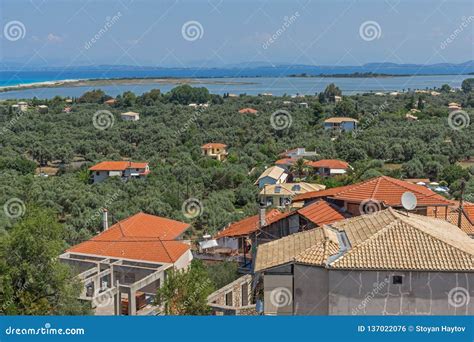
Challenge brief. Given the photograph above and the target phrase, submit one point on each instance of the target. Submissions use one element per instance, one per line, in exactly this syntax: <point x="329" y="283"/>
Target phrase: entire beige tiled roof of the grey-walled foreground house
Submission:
<point x="385" y="240"/>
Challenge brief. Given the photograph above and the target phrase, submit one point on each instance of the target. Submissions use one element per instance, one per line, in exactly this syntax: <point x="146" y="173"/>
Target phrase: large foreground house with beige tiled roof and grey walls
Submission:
<point x="405" y="263"/>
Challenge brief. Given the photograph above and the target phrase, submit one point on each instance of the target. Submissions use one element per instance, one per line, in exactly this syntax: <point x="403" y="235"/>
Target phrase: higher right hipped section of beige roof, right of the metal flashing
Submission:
<point x="390" y="240"/>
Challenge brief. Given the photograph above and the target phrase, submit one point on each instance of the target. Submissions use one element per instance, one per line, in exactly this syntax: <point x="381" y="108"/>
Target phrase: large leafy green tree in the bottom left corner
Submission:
<point x="33" y="281"/>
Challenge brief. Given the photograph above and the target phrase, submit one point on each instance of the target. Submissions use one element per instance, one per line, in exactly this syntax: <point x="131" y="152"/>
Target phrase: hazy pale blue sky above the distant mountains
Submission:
<point x="213" y="33"/>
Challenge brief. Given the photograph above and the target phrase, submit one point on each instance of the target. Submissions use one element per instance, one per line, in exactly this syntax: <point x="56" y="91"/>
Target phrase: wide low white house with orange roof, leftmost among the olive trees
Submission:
<point x="123" y="169"/>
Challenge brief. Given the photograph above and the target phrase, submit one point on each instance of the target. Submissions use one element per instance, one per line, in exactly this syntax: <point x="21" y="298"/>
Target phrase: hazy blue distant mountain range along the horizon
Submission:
<point x="257" y="69"/>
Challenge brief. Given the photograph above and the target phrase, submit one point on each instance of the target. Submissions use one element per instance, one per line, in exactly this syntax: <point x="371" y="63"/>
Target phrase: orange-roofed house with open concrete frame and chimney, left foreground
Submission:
<point x="127" y="262"/>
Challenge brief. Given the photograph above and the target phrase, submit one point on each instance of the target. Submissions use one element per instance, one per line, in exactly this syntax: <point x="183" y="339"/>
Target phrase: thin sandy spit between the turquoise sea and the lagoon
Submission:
<point x="114" y="81"/>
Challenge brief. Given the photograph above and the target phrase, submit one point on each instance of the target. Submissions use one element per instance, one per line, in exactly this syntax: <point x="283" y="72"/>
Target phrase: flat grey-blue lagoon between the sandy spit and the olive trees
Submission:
<point x="254" y="85"/>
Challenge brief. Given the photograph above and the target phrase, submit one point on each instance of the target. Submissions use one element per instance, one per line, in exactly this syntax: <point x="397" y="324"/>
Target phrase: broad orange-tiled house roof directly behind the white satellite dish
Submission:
<point x="379" y="193"/>
